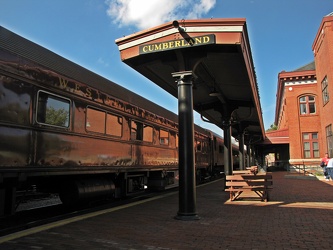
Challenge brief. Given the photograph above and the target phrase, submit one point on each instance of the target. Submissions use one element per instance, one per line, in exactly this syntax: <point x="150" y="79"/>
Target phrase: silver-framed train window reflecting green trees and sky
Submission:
<point x="53" y="110"/>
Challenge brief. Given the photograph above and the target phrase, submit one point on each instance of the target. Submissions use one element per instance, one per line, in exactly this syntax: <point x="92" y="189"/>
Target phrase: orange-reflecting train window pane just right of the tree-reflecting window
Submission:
<point x="95" y="121"/>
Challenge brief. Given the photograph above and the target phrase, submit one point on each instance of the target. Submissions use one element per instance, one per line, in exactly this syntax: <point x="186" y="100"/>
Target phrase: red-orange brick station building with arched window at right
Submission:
<point x="303" y="104"/>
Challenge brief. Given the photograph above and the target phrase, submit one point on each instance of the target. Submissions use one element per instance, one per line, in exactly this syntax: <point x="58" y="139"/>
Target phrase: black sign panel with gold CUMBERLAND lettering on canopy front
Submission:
<point x="177" y="44"/>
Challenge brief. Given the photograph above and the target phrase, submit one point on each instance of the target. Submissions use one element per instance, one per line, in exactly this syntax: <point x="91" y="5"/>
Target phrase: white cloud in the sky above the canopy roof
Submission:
<point x="149" y="13"/>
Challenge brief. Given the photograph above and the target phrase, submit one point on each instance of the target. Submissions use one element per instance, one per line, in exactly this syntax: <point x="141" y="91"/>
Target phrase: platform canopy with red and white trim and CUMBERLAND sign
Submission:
<point x="217" y="52"/>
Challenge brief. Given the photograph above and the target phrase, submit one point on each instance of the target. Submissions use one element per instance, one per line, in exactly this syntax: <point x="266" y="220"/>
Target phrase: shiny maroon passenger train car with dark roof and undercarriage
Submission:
<point x="67" y="130"/>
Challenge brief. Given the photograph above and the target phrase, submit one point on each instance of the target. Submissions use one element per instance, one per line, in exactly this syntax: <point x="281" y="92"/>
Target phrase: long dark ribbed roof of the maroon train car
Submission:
<point x="42" y="56"/>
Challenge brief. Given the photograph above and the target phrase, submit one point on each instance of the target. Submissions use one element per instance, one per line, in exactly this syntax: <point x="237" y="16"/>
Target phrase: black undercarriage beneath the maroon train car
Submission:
<point x="75" y="190"/>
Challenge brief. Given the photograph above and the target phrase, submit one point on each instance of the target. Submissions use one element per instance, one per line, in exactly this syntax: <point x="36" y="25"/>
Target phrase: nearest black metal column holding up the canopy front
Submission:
<point x="187" y="185"/>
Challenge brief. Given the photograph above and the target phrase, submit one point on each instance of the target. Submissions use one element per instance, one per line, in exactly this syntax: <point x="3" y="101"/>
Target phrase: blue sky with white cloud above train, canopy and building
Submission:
<point x="281" y="34"/>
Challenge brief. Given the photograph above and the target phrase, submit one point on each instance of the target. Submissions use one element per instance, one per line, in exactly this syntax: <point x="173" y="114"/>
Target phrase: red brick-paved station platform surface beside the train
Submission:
<point x="299" y="215"/>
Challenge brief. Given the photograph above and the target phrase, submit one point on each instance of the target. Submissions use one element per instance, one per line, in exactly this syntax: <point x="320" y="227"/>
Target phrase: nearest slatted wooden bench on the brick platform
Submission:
<point x="261" y="184"/>
